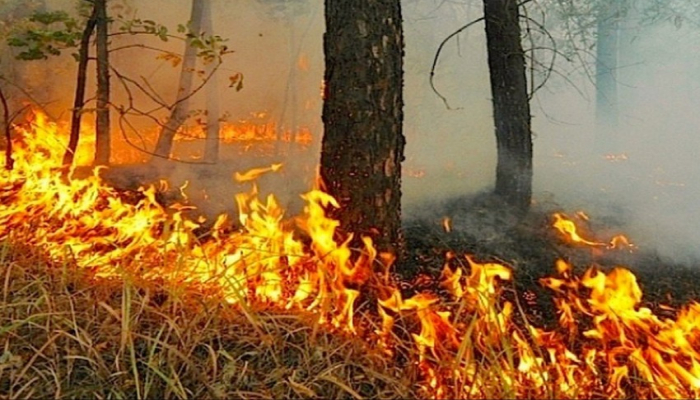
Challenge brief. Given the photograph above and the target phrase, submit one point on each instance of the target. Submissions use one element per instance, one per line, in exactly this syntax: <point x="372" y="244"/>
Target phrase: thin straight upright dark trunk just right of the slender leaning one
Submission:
<point x="102" y="142"/>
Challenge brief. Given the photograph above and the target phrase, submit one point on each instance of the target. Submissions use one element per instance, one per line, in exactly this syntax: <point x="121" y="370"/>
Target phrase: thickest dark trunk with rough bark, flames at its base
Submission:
<point x="363" y="143"/>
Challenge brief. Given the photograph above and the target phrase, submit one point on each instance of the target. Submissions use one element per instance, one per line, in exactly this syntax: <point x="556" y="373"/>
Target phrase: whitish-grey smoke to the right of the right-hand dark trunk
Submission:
<point x="651" y="182"/>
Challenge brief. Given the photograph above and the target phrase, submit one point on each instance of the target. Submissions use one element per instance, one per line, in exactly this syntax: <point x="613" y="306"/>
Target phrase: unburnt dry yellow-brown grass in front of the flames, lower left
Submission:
<point x="66" y="335"/>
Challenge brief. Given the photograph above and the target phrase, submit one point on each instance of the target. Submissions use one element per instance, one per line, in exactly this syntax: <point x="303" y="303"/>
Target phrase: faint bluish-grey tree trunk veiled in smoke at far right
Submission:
<point x="606" y="81"/>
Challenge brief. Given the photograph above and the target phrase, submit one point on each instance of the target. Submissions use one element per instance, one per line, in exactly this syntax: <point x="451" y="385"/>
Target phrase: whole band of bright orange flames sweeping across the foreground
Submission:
<point x="468" y="343"/>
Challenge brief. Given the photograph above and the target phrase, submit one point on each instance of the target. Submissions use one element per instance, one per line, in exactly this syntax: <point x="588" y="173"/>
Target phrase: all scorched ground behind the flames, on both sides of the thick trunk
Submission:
<point x="481" y="226"/>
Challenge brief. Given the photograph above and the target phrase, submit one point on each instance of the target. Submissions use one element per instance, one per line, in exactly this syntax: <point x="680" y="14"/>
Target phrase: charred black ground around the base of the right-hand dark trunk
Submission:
<point x="482" y="226"/>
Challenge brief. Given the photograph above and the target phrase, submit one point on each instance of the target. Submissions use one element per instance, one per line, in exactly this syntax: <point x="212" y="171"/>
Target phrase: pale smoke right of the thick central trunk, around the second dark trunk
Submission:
<point x="649" y="187"/>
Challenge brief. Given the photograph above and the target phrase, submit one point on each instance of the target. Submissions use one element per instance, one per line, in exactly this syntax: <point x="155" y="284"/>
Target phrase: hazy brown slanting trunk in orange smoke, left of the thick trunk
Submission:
<point x="178" y="114"/>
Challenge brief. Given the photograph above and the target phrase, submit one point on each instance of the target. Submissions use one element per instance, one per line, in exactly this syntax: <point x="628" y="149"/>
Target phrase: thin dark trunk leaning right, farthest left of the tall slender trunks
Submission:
<point x="79" y="101"/>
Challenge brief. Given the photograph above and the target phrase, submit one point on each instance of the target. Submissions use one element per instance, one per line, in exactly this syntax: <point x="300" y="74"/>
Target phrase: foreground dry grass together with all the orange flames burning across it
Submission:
<point x="281" y="308"/>
